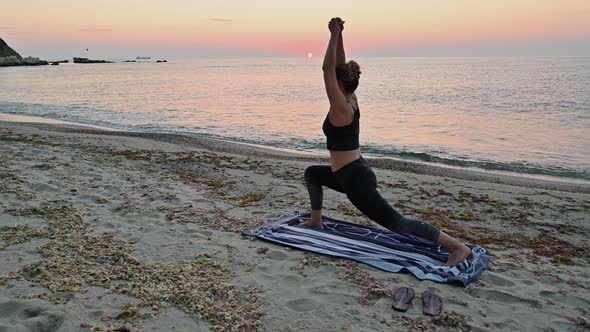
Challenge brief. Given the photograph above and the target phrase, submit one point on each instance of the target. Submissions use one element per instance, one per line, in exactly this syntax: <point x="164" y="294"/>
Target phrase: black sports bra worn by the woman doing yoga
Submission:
<point x="343" y="138"/>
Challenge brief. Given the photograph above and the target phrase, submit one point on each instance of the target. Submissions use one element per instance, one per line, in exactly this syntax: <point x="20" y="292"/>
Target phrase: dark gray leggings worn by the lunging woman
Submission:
<point x="359" y="183"/>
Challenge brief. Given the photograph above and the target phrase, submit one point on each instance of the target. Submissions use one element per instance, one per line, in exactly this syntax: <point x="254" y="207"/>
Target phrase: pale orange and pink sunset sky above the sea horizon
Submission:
<point x="196" y="28"/>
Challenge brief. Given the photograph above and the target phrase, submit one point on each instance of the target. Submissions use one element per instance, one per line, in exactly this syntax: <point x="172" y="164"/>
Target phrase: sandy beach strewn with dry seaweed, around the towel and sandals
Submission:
<point x="104" y="230"/>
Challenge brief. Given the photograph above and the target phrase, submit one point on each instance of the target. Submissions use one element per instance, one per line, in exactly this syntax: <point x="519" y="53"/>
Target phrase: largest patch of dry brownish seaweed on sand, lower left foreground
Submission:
<point x="74" y="258"/>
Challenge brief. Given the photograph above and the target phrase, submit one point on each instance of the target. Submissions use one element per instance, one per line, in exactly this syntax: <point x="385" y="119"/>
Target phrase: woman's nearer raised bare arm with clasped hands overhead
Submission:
<point x="336" y="97"/>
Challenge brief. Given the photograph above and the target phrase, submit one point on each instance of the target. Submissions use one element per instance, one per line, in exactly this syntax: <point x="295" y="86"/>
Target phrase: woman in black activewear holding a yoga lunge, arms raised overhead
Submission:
<point x="349" y="173"/>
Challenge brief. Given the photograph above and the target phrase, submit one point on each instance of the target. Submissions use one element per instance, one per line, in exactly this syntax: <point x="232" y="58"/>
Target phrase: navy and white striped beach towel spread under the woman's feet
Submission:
<point x="381" y="248"/>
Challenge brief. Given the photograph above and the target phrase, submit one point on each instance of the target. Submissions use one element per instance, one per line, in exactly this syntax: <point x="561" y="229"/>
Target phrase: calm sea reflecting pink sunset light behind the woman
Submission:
<point x="528" y="115"/>
